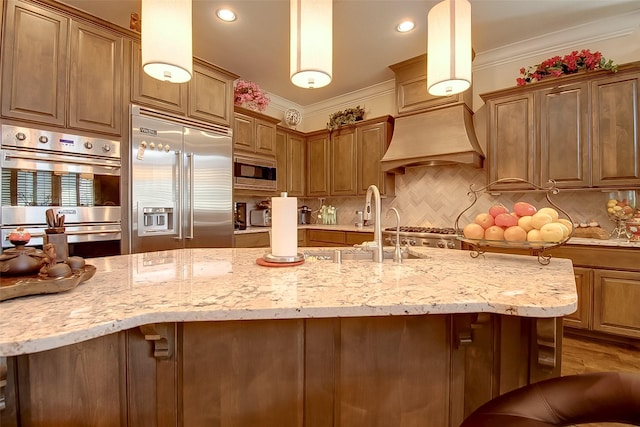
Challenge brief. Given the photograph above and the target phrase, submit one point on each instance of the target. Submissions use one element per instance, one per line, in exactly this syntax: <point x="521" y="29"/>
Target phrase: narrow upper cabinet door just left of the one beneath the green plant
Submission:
<point x="318" y="164"/>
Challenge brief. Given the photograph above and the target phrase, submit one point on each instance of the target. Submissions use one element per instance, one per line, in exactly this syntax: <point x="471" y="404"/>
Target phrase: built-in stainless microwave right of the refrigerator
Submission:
<point x="254" y="173"/>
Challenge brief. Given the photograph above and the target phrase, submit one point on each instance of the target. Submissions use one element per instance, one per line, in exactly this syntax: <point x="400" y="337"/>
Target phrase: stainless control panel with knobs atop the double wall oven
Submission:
<point x="44" y="140"/>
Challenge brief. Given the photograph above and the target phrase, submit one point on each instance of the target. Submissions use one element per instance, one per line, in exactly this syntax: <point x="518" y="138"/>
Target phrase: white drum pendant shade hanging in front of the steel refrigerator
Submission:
<point x="166" y="40"/>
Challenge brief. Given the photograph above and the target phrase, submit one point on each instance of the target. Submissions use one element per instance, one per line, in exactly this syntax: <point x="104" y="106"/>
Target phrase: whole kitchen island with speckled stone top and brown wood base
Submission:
<point x="208" y="337"/>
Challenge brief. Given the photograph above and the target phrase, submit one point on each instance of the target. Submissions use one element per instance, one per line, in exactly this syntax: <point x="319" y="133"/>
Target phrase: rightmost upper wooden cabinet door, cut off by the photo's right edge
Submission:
<point x="616" y="127"/>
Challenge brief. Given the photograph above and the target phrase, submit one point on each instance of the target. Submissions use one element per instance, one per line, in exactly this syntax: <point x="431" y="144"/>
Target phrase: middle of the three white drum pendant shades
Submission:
<point x="311" y="42"/>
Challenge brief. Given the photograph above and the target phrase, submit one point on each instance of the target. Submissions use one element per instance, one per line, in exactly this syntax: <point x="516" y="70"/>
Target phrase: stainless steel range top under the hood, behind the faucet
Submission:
<point x="434" y="237"/>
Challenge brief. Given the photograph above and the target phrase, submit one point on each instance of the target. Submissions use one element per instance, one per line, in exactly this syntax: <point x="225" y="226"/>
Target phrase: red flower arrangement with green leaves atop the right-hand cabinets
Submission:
<point x="568" y="64"/>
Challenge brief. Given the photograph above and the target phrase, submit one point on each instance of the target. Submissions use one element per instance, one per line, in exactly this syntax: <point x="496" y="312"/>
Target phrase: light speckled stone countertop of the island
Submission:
<point x="226" y="284"/>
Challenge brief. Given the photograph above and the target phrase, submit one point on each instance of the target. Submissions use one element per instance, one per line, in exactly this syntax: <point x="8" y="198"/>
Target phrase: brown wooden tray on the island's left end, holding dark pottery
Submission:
<point x="13" y="287"/>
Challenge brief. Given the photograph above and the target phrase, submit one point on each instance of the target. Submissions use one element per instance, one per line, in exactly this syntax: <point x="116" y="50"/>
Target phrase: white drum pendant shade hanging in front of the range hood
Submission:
<point x="449" y="47"/>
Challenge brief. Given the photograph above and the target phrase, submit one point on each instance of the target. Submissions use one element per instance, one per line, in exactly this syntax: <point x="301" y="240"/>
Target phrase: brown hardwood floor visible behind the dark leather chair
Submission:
<point x="581" y="355"/>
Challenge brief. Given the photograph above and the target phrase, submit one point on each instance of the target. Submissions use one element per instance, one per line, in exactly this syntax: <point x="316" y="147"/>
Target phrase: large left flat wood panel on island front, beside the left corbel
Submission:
<point x="237" y="374"/>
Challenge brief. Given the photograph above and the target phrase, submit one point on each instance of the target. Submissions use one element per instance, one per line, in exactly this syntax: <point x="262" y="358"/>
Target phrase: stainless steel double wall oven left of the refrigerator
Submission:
<point x="76" y="176"/>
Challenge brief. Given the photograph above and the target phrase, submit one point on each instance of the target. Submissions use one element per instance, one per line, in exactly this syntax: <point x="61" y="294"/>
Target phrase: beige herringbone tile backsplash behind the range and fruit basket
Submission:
<point x="434" y="196"/>
